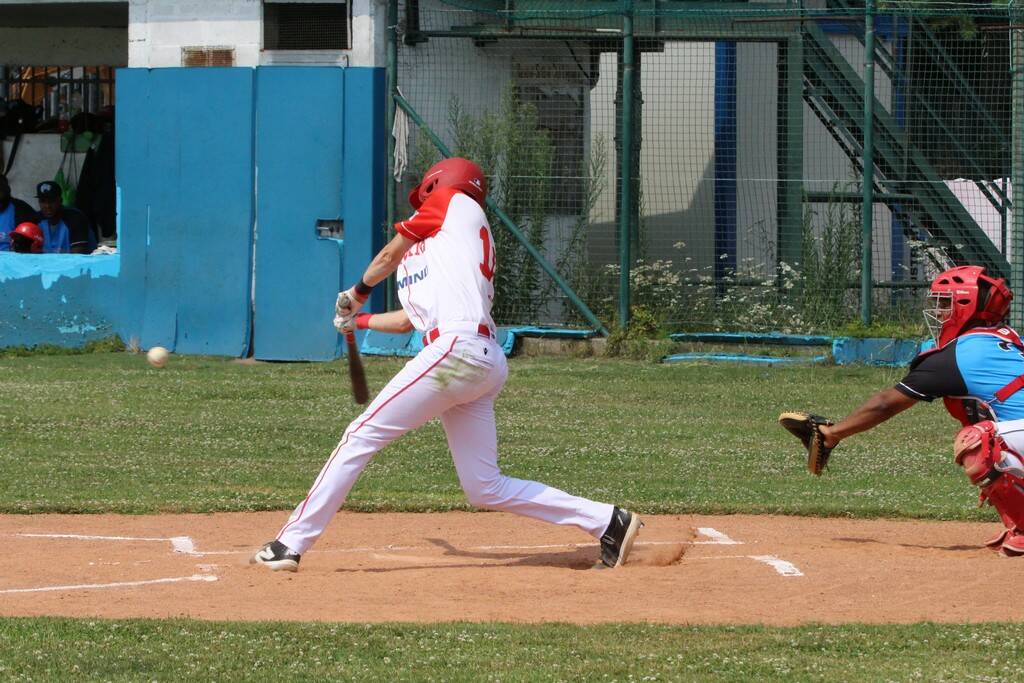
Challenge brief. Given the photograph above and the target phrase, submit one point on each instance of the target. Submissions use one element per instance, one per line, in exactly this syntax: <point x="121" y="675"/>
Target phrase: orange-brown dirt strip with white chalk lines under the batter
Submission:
<point x="490" y="567"/>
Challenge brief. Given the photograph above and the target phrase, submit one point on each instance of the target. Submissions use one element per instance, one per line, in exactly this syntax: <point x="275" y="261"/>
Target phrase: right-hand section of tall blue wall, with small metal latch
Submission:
<point x="301" y="181"/>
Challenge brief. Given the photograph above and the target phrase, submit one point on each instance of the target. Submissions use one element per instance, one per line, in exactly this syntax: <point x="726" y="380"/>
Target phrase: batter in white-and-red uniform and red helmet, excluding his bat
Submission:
<point x="445" y="261"/>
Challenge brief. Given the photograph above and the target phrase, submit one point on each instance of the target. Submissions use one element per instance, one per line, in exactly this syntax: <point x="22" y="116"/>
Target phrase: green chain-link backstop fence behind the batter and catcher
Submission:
<point x="747" y="152"/>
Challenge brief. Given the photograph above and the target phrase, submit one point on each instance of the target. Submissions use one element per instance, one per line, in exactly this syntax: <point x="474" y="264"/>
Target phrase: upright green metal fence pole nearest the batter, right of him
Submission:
<point x="625" y="168"/>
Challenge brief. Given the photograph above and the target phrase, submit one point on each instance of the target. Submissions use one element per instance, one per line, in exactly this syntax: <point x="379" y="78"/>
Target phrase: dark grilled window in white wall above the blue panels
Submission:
<point x="307" y="26"/>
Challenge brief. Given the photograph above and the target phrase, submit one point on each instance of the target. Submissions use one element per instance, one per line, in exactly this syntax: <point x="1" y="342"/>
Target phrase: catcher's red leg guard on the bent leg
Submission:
<point x="978" y="450"/>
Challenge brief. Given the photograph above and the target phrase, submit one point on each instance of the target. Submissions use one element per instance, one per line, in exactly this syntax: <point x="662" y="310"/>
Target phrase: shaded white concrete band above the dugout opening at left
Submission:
<point x="70" y="48"/>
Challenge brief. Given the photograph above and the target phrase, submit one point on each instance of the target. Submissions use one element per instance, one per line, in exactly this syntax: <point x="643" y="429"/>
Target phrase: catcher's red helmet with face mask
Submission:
<point x="963" y="296"/>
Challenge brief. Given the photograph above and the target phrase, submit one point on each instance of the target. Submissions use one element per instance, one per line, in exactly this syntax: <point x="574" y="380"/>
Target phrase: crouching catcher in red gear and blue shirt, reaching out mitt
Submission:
<point x="977" y="367"/>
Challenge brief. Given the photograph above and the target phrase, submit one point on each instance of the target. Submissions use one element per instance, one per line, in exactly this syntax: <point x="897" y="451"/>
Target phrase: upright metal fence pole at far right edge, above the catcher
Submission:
<point x="1016" y="255"/>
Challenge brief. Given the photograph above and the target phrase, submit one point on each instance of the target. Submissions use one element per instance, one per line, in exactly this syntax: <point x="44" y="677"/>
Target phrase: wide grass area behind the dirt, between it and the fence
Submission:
<point x="107" y="433"/>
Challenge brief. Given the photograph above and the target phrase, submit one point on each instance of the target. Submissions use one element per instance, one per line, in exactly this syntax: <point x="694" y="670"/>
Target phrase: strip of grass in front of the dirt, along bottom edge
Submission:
<point x="180" y="650"/>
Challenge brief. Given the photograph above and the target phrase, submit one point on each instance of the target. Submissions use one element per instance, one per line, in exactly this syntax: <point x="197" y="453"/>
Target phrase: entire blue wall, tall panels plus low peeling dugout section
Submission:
<point x="192" y="144"/>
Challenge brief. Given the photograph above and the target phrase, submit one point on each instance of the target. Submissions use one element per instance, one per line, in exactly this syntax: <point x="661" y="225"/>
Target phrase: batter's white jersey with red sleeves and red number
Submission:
<point x="446" y="278"/>
